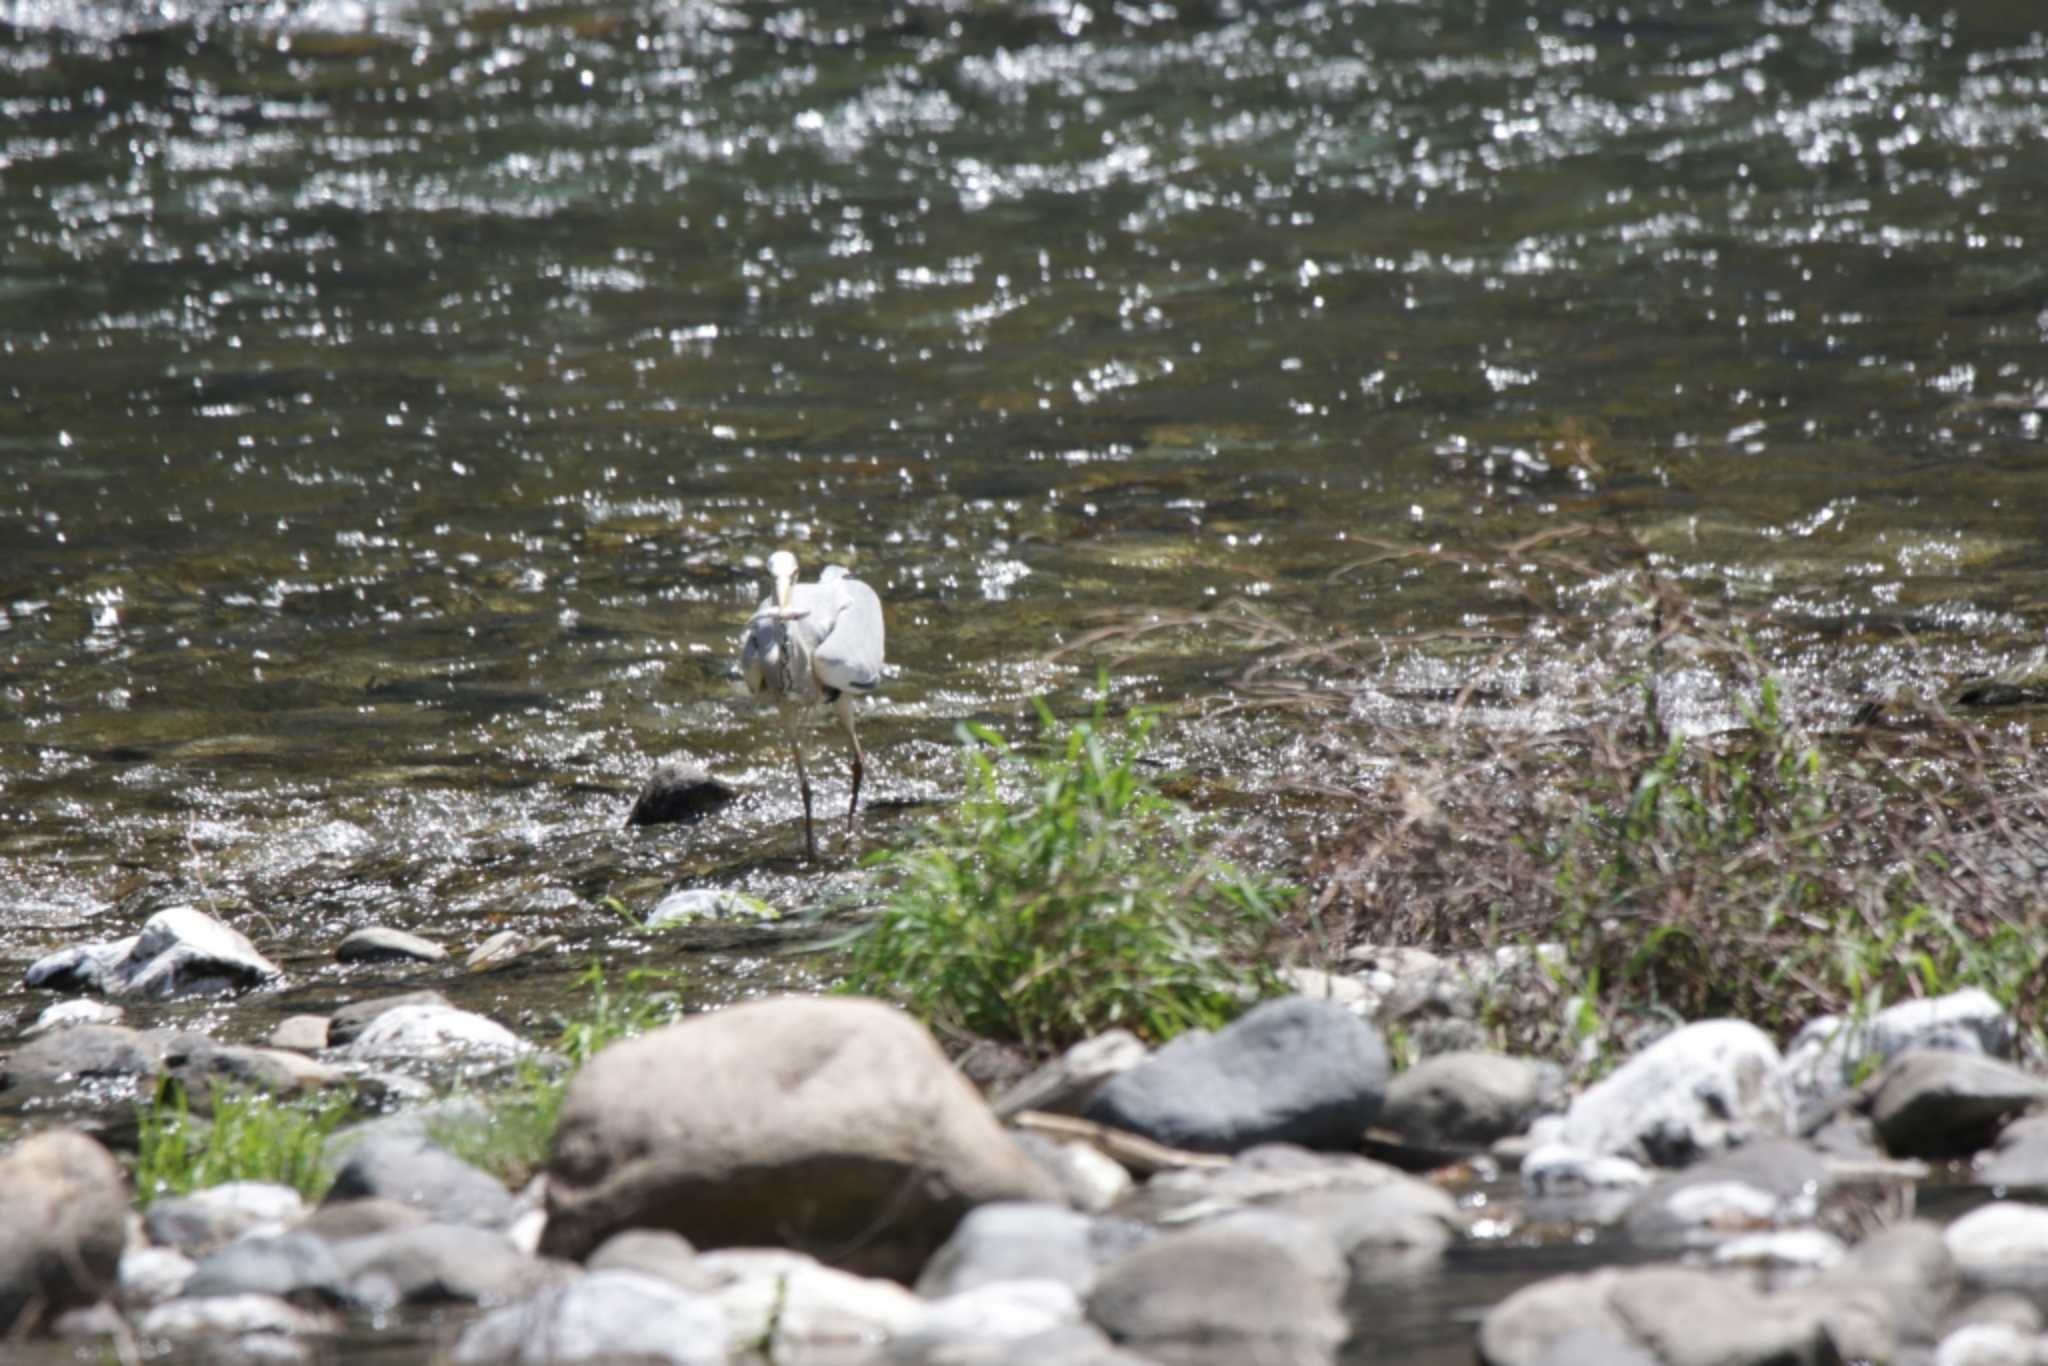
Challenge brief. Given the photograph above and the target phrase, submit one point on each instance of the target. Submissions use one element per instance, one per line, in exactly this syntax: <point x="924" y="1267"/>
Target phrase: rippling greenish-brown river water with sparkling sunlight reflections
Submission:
<point x="398" y="407"/>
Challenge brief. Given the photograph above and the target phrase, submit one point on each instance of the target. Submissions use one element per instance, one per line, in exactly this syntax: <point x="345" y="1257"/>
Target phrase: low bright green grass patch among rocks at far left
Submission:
<point x="245" y="1138"/>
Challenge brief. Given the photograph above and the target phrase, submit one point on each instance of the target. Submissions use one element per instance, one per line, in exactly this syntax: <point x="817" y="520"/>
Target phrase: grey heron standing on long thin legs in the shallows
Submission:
<point x="814" y="646"/>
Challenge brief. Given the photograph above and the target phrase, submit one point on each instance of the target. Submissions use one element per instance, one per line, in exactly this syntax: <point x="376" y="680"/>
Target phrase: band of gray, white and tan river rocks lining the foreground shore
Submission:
<point x="812" y="1181"/>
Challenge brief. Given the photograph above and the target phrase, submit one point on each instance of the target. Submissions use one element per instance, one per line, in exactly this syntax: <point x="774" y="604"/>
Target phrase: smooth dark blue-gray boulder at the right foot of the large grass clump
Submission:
<point x="1285" y="1072"/>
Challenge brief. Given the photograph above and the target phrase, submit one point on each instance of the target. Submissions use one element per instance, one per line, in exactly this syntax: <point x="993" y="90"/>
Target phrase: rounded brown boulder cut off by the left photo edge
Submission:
<point x="62" y="1228"/>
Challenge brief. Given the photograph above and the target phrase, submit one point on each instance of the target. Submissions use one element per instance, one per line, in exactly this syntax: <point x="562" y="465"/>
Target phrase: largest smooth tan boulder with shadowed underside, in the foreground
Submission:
<point x="814" y="1123"/>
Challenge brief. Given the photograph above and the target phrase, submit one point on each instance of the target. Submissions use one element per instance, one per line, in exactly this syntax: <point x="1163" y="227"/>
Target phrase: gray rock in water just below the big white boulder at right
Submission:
<point x="1768" y="1185"/>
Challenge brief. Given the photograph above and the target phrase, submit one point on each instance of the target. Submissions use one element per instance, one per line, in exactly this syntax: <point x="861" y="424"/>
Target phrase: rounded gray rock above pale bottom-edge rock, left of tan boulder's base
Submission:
<point x="435" y="1263"/>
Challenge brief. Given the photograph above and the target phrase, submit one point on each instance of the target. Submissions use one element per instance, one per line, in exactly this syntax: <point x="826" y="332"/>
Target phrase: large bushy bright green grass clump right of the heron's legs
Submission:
<point x="1078" y="904"/>
